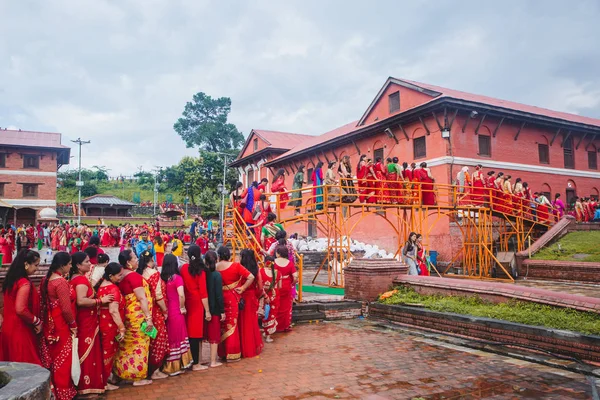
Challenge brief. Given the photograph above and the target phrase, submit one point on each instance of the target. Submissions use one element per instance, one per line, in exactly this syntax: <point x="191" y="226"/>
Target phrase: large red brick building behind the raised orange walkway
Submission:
<point x="554" y="152"/>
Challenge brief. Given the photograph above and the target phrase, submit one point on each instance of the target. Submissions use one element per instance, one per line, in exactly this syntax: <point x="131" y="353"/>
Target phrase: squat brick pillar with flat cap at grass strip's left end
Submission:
<point x="366" y="279"/>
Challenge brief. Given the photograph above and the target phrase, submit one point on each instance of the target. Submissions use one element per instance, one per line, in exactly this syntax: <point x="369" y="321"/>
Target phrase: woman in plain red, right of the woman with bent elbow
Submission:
<point x="250" y="337"/>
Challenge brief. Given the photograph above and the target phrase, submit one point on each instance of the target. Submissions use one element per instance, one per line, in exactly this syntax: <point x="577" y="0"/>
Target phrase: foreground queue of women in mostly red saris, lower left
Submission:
<point x="135" y="321"/>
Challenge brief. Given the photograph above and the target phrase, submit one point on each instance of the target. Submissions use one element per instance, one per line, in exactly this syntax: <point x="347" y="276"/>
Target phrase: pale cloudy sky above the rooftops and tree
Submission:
<point x="118" y="72"/>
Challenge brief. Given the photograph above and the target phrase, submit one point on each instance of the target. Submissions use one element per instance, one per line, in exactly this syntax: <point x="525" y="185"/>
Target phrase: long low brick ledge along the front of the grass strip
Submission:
<point x="565" y="343"/>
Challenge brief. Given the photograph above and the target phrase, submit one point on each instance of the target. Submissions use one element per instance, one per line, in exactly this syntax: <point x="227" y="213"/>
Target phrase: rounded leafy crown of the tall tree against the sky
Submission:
<point x="204" y="124"/>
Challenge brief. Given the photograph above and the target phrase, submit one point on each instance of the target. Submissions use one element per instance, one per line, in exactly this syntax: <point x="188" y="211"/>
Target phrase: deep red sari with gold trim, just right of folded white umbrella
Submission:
<point x="90" y="350"/>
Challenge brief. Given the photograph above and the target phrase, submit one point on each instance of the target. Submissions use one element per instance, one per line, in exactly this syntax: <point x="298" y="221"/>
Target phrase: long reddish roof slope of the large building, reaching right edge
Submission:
<point x="457" y="94"/>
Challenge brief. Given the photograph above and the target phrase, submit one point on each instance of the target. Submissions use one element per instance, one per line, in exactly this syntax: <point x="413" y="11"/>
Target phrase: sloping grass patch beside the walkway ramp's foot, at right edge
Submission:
<point x="585" y="244"/>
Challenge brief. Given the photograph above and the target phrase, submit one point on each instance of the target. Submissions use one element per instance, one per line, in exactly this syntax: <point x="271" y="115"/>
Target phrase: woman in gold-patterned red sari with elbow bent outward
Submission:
<point x="232" y="274"/>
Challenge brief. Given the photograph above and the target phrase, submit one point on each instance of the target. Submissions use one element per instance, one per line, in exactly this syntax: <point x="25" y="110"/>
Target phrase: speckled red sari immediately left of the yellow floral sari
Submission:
<point x="109" y="329"/>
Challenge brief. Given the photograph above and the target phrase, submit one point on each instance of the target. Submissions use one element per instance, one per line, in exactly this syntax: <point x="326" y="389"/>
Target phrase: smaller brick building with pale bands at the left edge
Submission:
<point x="29" y="162"/>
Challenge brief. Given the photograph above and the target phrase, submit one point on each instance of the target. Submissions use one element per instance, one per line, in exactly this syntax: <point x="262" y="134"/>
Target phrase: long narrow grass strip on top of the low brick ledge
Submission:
<point x="513" y="311"/>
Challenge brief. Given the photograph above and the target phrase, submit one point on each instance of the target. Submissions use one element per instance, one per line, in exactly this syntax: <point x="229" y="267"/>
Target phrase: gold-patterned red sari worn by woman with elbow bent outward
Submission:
<point x="229" y="347"/>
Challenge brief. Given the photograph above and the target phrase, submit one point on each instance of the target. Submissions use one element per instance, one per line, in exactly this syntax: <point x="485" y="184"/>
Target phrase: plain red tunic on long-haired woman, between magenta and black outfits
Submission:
<point x="195" y="290"/>
